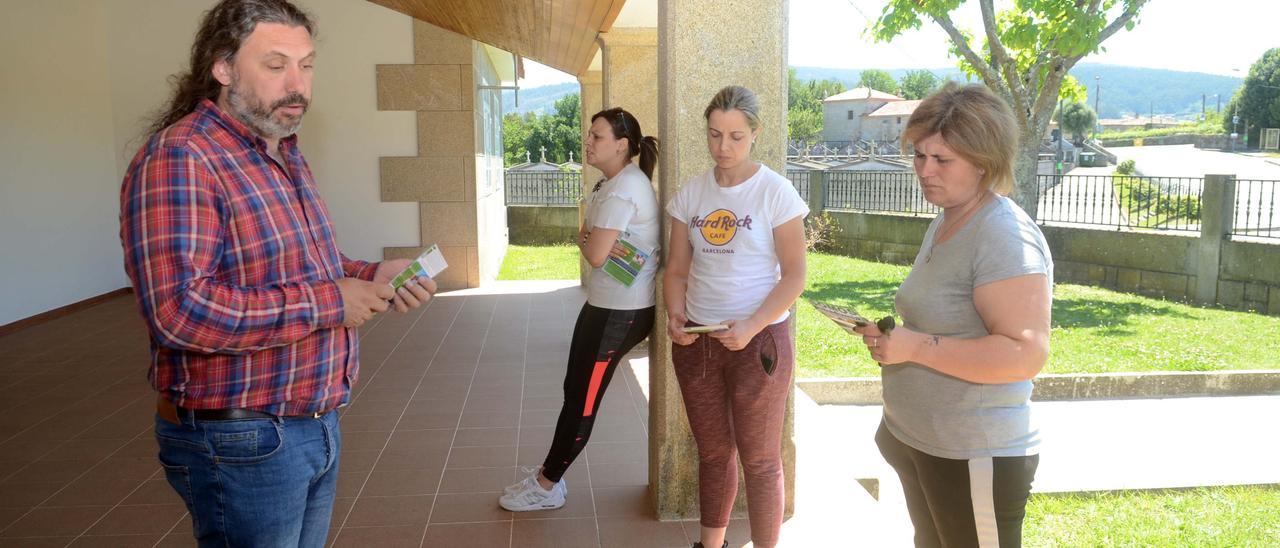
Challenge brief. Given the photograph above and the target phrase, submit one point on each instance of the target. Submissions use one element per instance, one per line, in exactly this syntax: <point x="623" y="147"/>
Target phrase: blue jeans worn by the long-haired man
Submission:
<point x="255" y="483"/>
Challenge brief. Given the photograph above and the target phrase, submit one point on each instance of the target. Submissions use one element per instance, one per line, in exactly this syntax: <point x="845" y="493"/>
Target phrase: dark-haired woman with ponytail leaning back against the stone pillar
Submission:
<point x="616" y="316"/>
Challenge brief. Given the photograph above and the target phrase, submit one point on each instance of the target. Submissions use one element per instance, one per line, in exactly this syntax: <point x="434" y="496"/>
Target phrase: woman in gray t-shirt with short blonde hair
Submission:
<point x="976" y="310"/>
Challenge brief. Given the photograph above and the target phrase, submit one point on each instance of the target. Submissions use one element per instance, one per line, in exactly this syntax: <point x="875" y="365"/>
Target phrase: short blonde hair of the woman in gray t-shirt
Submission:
<point x="977" y="125"/>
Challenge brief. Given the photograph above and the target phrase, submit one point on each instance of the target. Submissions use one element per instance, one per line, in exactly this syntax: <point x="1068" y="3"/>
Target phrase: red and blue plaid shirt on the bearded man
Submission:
<point x="234" y="263"/>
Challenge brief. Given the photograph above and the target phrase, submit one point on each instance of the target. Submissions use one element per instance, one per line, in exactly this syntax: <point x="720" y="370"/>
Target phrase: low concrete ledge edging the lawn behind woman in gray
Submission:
<point x="1105" y="386"/>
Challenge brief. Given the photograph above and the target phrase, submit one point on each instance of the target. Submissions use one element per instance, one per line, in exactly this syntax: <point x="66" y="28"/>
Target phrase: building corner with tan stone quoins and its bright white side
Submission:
<point x="456" y="176"/>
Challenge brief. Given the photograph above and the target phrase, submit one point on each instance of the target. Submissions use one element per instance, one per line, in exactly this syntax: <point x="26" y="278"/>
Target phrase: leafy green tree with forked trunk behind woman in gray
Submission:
<point x="1025" y="56"/>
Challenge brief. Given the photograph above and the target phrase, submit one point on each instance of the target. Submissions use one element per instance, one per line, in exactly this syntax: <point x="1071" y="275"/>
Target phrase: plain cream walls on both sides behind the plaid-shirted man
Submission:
<point x="81" y="79"/>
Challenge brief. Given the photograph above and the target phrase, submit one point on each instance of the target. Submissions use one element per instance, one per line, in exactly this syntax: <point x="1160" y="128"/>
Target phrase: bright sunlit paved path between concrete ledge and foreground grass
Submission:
<point x="1089" y="446"/>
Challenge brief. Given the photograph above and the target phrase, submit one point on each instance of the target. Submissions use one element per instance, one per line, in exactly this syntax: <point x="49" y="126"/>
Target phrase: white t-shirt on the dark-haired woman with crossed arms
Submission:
<point x="627" y="203"/>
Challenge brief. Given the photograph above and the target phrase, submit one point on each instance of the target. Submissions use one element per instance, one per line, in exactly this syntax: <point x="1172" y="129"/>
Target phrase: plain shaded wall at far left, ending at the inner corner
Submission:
<point x="58" y="173"/>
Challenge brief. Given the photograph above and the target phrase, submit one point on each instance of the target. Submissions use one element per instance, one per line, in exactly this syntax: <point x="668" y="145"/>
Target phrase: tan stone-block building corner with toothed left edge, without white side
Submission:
<point x="440" y="86"/>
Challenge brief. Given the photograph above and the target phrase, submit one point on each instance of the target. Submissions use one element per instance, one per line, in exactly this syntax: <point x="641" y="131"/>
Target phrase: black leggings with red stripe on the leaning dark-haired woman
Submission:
<point x="601" y="339"/>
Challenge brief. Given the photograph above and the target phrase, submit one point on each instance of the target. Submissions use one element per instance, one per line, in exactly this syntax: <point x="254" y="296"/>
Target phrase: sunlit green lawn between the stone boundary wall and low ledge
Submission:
<point x="1095" y="330"/>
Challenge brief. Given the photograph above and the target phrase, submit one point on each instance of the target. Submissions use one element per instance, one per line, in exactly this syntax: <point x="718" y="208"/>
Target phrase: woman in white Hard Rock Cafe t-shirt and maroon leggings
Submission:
<point x="737" y="261"/>
